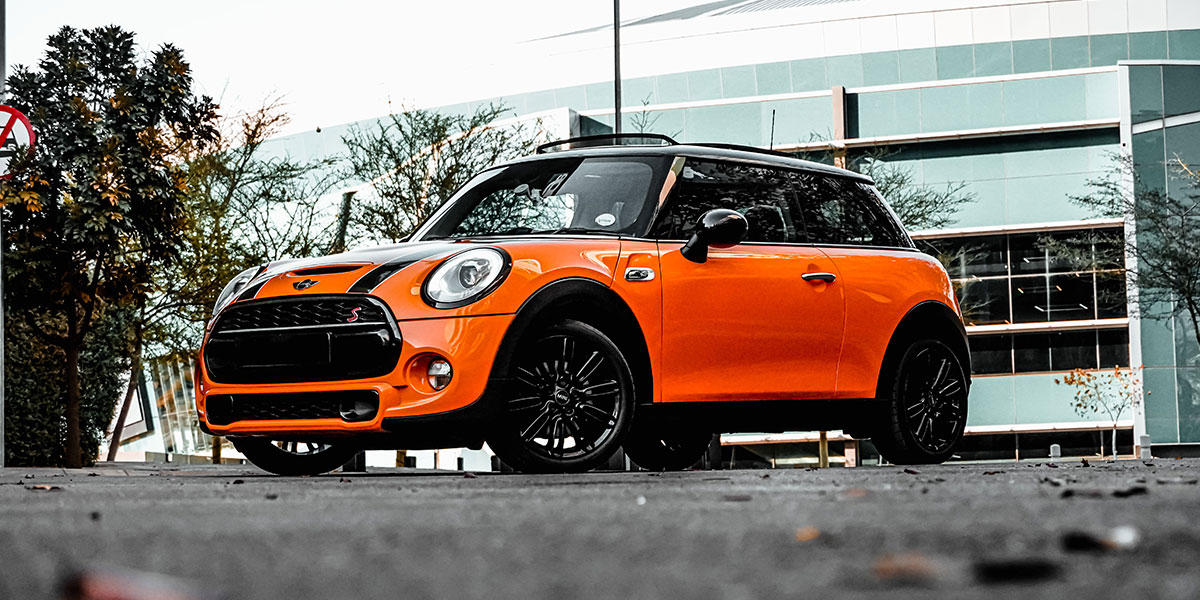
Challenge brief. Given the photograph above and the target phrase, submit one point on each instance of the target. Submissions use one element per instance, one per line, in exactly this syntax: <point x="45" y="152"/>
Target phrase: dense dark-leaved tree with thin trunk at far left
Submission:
<point x="99" y="206"/>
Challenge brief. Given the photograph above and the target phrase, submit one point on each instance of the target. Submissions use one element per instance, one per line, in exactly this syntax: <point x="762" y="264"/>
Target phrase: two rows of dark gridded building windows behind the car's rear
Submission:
<point x="1045" y="278"/>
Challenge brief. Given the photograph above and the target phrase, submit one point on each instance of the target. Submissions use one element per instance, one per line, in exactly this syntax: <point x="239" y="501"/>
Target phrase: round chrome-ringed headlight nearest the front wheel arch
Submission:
<point x="466" y="278"/>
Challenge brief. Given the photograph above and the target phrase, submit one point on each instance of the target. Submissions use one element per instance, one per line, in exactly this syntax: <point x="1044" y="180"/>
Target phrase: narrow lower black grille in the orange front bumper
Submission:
<point x="349" y="406"/>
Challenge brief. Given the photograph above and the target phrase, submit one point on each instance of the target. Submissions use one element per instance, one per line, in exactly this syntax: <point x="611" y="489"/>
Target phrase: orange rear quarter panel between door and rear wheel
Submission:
<point x="881" y="287"/>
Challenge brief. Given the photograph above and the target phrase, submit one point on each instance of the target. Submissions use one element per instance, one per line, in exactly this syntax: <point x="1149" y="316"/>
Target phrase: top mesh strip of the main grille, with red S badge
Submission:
<point x="274" y="314"/>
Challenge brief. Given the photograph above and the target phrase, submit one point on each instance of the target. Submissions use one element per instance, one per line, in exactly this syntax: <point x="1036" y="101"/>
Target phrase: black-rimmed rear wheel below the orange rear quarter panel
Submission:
<point x="928" y="412"/>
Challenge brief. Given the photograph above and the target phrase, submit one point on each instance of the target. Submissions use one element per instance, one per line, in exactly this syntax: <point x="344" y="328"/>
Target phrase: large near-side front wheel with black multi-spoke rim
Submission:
<point x="569" y="403"/>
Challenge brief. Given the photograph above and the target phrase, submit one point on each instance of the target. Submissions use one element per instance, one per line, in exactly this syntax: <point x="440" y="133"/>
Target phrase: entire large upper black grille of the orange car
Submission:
<point x="308" y="339"/>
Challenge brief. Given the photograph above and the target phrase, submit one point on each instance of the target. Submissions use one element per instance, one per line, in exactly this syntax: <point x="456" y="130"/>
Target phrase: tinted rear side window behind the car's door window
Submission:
<point x="841" y="211"/>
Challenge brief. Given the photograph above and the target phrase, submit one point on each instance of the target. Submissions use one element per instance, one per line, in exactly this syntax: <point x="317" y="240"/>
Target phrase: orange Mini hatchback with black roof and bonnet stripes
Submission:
<point x="622" y="292"/>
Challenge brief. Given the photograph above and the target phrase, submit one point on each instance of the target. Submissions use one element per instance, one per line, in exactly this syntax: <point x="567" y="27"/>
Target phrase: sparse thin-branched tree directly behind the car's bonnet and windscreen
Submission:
<point x="415" y="161"/>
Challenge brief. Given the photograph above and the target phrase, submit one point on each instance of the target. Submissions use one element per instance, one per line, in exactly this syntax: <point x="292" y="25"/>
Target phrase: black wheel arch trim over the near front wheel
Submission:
<point x="589" y="302"/>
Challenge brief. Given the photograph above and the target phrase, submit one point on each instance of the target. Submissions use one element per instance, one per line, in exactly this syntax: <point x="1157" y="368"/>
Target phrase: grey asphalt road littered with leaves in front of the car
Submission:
<point x="1127" y="530"/>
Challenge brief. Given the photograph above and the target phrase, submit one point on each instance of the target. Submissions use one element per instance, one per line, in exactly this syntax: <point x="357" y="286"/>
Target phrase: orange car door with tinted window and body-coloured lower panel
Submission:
<point x="746" y="325"/>
